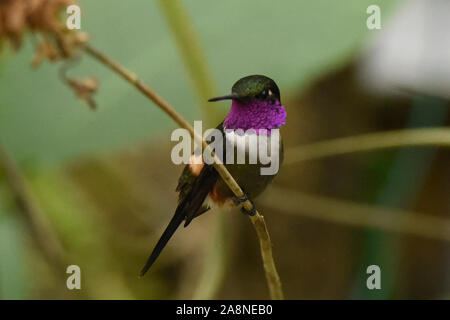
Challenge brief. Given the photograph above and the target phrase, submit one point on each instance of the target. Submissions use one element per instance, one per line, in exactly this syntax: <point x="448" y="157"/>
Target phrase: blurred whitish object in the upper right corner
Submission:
<point x="411" y="53"/>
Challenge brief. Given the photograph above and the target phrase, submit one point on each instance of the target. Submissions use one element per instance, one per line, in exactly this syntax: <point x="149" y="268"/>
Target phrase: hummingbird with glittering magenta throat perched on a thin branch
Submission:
<point x="255" y="104"/>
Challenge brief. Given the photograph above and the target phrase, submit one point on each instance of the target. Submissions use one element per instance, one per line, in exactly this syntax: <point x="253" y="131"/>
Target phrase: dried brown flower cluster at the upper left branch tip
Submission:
<point x="44" y="19"/>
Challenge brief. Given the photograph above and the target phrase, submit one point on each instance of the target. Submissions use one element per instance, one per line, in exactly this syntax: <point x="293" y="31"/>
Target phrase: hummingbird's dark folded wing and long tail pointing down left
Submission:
<point x="194" y="193"/>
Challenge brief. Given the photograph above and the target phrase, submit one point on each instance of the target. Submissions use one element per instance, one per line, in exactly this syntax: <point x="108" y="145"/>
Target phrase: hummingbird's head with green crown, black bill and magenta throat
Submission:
<point x="256" y="104"/>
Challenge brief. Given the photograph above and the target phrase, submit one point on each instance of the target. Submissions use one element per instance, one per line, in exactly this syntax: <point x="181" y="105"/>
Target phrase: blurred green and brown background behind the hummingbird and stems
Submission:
<point x="106" y="184"/>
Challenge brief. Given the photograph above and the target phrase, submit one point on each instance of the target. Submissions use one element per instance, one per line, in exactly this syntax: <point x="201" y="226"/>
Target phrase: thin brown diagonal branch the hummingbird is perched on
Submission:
<point x="257" y="220"/>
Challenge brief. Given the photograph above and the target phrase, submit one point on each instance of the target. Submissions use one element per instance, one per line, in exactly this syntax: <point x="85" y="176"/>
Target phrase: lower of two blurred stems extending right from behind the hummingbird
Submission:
<point x="357" y="214"/>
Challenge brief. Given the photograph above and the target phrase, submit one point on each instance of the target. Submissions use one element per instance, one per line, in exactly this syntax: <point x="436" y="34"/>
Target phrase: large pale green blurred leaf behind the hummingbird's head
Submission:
<point x="292" y="41"/>
